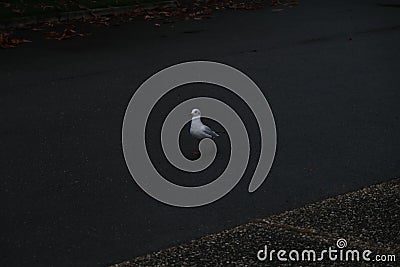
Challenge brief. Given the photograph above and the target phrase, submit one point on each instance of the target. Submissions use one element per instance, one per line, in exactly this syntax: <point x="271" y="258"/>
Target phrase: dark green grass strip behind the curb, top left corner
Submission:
<point x="24" y="8"/>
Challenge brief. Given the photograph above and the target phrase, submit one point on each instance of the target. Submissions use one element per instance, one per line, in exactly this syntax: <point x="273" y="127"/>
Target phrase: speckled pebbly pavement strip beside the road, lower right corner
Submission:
<point x="366" y="219"/>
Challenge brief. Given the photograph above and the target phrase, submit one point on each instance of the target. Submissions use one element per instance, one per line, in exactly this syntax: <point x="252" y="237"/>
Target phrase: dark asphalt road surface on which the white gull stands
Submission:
<point x="330" y="72"/>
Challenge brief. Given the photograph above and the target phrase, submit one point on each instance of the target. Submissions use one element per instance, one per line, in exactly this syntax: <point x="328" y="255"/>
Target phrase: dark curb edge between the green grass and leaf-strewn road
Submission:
<point x="80" y="14"/>
